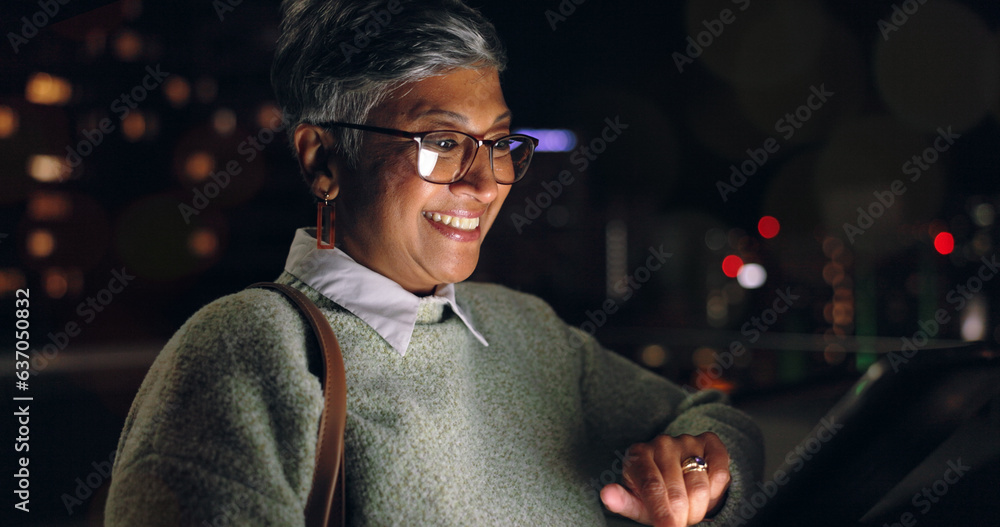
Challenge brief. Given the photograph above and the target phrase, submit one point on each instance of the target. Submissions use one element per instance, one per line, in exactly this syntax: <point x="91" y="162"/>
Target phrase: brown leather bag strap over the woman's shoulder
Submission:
<point x="325" y="506"/>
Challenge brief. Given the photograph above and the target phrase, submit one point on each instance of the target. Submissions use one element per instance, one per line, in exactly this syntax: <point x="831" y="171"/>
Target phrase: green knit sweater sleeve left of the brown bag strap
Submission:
<point x="223" y="428"/>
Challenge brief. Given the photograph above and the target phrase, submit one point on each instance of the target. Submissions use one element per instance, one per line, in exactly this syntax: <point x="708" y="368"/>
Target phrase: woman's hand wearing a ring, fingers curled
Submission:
<point x="657" y="493"/>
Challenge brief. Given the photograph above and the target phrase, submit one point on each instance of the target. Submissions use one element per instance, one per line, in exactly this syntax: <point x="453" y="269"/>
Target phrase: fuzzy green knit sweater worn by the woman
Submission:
<point x="523" y="432"/>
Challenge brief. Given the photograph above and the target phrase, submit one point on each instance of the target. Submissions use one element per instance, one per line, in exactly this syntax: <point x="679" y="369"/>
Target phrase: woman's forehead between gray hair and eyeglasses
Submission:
<point x="468" y="97"/>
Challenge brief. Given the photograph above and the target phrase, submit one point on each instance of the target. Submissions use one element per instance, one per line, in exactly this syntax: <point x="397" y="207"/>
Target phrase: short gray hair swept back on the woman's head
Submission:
<point x="336" y="60"/>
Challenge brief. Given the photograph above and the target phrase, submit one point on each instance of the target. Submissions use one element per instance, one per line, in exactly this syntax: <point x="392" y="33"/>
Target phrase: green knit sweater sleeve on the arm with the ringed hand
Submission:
<point x="624" y="404"/>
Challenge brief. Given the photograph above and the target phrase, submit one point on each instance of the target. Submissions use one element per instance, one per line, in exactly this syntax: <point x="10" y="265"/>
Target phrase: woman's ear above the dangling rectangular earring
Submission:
<point x="319" y="161"/>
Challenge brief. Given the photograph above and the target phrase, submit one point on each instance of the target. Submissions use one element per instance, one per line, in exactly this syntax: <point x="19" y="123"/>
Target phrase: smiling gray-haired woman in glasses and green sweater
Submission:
<point x="468" y="404"/>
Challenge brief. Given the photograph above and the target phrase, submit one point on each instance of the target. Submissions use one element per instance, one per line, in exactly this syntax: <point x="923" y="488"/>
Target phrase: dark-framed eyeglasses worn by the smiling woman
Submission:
<point x="445" y="156"/>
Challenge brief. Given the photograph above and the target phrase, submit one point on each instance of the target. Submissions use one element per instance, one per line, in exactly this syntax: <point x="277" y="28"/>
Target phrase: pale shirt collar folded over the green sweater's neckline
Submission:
<point x="382" y="303"/>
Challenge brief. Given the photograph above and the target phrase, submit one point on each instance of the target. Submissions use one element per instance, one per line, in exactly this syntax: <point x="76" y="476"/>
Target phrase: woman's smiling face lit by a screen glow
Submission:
<point x="399" y="231"/>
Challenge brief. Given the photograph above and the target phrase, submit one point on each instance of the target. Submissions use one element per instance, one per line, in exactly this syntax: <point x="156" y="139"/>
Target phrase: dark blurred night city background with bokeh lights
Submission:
<point x="815" y="182"/>
